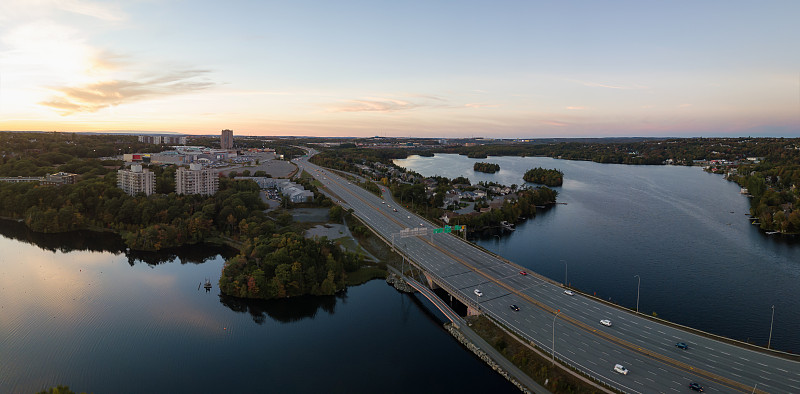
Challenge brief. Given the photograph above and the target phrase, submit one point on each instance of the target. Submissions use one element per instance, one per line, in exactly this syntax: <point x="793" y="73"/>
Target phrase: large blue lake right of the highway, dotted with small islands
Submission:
<point x="682" y="230"/>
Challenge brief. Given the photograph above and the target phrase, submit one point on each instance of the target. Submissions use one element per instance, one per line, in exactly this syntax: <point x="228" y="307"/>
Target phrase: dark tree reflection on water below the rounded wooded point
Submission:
<point x="285" y="310"/>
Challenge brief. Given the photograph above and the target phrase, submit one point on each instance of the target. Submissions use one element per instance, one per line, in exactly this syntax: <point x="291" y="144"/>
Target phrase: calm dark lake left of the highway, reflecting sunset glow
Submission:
<point x="77" y="309"/>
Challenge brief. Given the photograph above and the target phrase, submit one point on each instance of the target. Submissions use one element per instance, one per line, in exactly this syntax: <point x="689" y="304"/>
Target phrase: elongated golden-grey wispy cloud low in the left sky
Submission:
<point x="95" y="96"/>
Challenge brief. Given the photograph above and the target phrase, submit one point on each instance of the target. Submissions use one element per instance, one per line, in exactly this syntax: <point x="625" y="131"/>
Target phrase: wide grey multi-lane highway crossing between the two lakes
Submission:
<point x="645" y="347"/>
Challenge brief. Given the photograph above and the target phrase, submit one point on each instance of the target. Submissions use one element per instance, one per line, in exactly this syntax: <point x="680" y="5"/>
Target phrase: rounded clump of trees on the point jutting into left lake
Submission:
<point x="287" y="265"/>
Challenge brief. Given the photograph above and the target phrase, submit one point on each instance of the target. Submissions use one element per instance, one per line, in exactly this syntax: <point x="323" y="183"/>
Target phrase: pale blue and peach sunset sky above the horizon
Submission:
<point x="430" y="68"/>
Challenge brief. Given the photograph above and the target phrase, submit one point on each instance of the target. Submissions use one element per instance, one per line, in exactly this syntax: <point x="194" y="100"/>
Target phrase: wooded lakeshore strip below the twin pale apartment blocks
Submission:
<point x="146" y="223"/>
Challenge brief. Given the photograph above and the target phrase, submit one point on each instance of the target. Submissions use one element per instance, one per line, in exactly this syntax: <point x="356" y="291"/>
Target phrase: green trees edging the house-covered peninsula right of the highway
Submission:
<point x="511" y="211"/>
